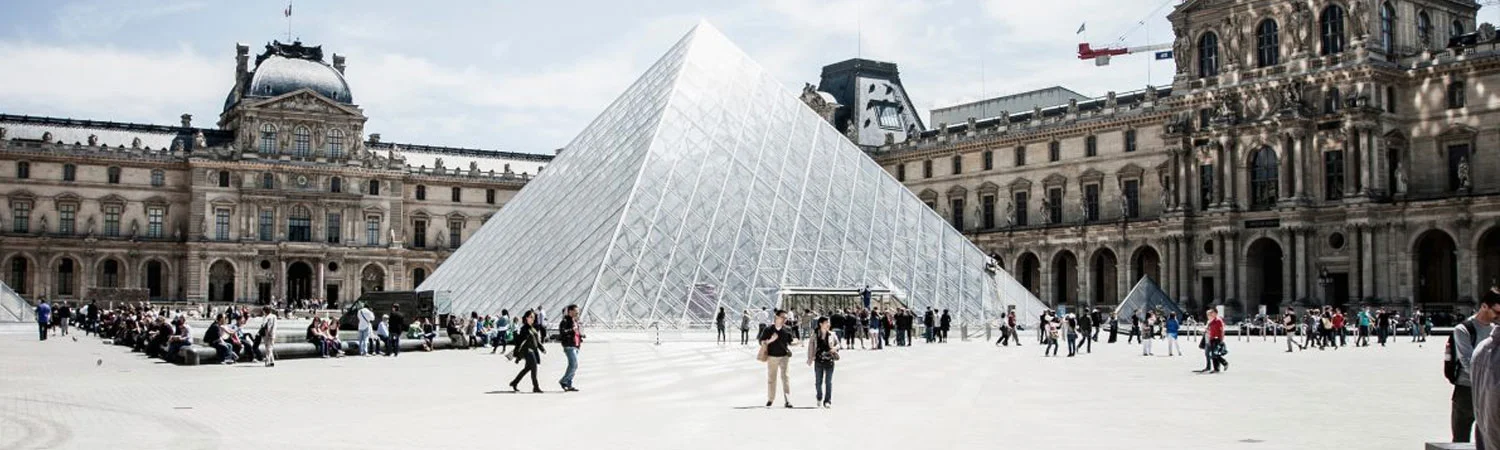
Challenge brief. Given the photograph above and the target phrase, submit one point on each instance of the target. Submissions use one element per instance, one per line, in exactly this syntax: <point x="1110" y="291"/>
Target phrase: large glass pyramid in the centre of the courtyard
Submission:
<point x="706" y="185"/>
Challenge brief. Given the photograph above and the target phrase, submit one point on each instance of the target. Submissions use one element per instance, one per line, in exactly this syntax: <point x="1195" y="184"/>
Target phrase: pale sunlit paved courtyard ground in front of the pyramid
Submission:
<point x="698" y="395"/>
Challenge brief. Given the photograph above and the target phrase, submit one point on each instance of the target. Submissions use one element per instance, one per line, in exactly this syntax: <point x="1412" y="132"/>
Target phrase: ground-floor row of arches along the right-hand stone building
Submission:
<point x="1276" y="269"/>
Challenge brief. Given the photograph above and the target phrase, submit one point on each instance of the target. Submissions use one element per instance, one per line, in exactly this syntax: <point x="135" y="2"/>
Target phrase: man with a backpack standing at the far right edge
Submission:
<point x="1459" y="361"/>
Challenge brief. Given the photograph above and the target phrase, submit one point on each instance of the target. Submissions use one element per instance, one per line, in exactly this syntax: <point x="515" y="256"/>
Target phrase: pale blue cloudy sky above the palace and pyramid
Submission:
<point x="527" y="76"/>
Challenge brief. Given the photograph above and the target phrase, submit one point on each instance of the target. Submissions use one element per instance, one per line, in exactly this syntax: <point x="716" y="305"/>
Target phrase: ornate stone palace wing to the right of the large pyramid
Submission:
<point x="1309" y="152"/>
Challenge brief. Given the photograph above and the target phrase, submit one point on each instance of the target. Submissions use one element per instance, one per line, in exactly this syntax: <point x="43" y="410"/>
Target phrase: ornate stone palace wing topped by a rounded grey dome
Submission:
<point x="287" y="199"/>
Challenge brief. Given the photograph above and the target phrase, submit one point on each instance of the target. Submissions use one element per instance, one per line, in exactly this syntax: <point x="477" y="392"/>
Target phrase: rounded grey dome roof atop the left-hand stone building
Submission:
<point x="287" y="68"/>
